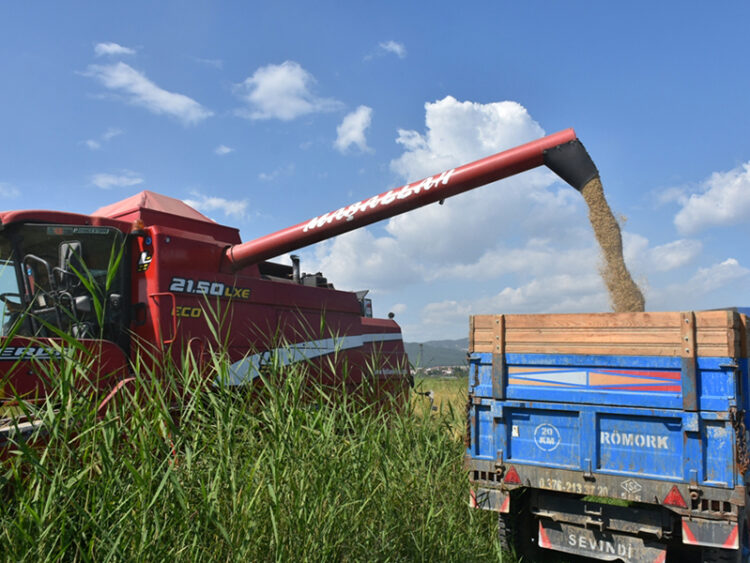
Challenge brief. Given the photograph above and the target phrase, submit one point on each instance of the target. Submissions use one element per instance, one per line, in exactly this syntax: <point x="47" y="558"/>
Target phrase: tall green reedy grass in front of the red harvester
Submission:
<point x="276" y="475"/>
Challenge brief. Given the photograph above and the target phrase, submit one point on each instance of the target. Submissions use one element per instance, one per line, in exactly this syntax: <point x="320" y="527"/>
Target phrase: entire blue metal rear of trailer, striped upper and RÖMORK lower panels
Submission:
<point x="561" y="414"/>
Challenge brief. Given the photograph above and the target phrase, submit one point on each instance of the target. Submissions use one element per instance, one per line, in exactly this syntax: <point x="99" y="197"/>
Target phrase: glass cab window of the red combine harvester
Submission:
<point x="61" y="278"/>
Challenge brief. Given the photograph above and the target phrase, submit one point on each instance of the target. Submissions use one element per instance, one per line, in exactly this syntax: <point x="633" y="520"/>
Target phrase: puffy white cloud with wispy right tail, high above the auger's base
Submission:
<point x="281" y="92"/>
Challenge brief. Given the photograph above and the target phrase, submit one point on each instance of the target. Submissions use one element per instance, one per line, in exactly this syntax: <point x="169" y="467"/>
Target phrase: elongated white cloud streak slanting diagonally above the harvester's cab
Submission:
<point x="139" y="90"/>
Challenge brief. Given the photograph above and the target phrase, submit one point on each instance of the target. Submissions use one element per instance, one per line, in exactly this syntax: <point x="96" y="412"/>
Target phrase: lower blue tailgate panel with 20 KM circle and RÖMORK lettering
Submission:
<point x="625" y="441"/>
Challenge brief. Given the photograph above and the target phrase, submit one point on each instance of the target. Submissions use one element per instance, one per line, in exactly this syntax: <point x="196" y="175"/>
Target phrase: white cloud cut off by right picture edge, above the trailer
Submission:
<point x="724" y="199"/>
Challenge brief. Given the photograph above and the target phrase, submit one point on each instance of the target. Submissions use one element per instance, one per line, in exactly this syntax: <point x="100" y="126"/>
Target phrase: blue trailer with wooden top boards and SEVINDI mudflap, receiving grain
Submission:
<point x="616" y="436"/>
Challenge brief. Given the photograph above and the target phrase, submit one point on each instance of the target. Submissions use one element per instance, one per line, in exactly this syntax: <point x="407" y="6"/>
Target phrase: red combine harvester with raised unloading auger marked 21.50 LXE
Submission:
<point x="177" y="264"/>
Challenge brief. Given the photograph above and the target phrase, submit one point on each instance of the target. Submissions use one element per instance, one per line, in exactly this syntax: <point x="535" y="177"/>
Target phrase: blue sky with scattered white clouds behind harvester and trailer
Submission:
<point x="265" y="115"/>
